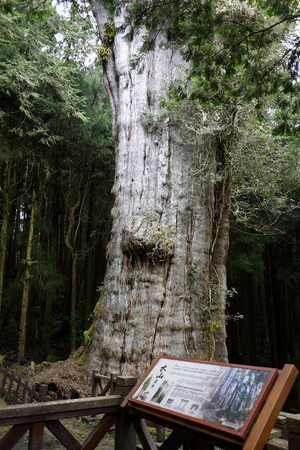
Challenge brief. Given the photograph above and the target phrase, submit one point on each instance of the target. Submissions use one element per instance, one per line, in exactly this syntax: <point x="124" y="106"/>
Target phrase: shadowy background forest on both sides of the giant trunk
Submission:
<point x="57" y="170"/>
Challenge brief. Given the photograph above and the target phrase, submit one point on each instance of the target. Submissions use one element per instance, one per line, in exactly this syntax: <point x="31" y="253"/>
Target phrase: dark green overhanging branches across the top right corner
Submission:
<point x="237" y="49"/>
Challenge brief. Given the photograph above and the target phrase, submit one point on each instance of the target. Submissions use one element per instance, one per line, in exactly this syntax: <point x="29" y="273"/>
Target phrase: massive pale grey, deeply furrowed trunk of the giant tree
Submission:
<point x="165" y="284"/>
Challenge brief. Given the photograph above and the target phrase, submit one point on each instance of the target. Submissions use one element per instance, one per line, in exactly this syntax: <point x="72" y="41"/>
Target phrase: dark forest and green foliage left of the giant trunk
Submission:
<point x="54" y="111"/>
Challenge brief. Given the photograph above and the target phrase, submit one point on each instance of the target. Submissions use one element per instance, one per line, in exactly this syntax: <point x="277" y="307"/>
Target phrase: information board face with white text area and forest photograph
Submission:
<point x="221" y="394"/>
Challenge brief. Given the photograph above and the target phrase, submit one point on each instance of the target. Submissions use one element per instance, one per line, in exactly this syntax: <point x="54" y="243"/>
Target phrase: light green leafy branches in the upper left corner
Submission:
<point x="36" y="83"/>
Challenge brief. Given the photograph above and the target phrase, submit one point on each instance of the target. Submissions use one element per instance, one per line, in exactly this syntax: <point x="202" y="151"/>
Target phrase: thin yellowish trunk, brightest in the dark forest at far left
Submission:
<point x="26" y="282"/>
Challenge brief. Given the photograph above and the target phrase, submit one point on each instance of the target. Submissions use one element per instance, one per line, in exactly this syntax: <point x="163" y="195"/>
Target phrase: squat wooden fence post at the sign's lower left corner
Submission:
<point x="125" y="435"/>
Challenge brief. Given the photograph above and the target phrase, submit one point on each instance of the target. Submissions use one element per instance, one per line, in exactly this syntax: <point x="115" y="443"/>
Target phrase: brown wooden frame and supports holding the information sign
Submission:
<point x="196" y="435"/>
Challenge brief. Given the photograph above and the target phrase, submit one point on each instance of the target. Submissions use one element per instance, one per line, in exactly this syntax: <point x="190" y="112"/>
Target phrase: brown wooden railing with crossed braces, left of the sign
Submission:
<point x="36" y="416"/>
